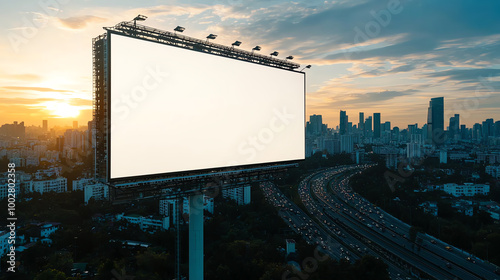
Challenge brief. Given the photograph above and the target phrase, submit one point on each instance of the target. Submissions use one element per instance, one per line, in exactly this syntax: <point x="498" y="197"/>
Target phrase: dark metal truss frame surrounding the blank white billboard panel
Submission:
<point x="131" y="30"/>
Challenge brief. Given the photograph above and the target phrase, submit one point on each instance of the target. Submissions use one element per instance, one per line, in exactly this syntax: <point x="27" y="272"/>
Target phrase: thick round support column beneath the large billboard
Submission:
<point x="196" y="237"/>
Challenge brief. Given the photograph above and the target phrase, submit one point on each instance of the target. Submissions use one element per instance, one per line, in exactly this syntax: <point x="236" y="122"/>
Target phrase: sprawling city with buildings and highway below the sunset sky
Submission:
<point x="418" y="198"/>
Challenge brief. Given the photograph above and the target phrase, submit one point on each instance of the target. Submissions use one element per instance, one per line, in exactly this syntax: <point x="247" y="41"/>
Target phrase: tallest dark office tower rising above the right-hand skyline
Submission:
<point x="435" y="120"/>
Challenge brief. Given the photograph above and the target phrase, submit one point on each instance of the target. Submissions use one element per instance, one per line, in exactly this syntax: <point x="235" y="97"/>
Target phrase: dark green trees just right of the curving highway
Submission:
<point x="469" y="233"/>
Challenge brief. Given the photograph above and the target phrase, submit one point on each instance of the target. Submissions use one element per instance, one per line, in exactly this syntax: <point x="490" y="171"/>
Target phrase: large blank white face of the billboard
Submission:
<point x="174" y="110"/>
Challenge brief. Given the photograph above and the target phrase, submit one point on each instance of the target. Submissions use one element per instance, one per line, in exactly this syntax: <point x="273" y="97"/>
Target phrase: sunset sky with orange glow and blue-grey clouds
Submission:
<point x="387" y="56"/>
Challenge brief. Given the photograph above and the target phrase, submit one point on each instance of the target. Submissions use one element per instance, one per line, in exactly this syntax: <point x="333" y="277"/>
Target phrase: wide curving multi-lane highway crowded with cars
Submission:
<point x="358" y="227"/>
